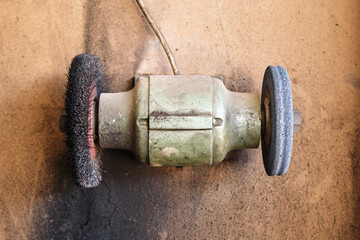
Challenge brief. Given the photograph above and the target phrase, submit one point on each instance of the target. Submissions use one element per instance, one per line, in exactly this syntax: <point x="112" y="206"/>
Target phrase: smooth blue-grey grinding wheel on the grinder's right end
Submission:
<point x="277" y="120"/>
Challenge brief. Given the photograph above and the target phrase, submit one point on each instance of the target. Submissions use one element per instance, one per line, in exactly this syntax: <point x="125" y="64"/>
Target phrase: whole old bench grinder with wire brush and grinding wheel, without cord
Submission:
<point x="174" y="120"/>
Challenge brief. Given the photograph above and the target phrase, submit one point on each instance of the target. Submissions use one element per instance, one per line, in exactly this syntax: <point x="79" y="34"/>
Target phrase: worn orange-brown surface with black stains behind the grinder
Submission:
<point x="318" y="43"/>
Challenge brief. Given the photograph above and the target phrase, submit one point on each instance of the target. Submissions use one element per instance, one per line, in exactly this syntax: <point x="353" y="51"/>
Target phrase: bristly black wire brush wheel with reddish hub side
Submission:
<point x="83" y="90"/>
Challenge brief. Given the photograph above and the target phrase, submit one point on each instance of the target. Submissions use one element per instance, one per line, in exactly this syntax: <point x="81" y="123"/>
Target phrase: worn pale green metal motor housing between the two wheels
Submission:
<point x="179" y="120"/>
